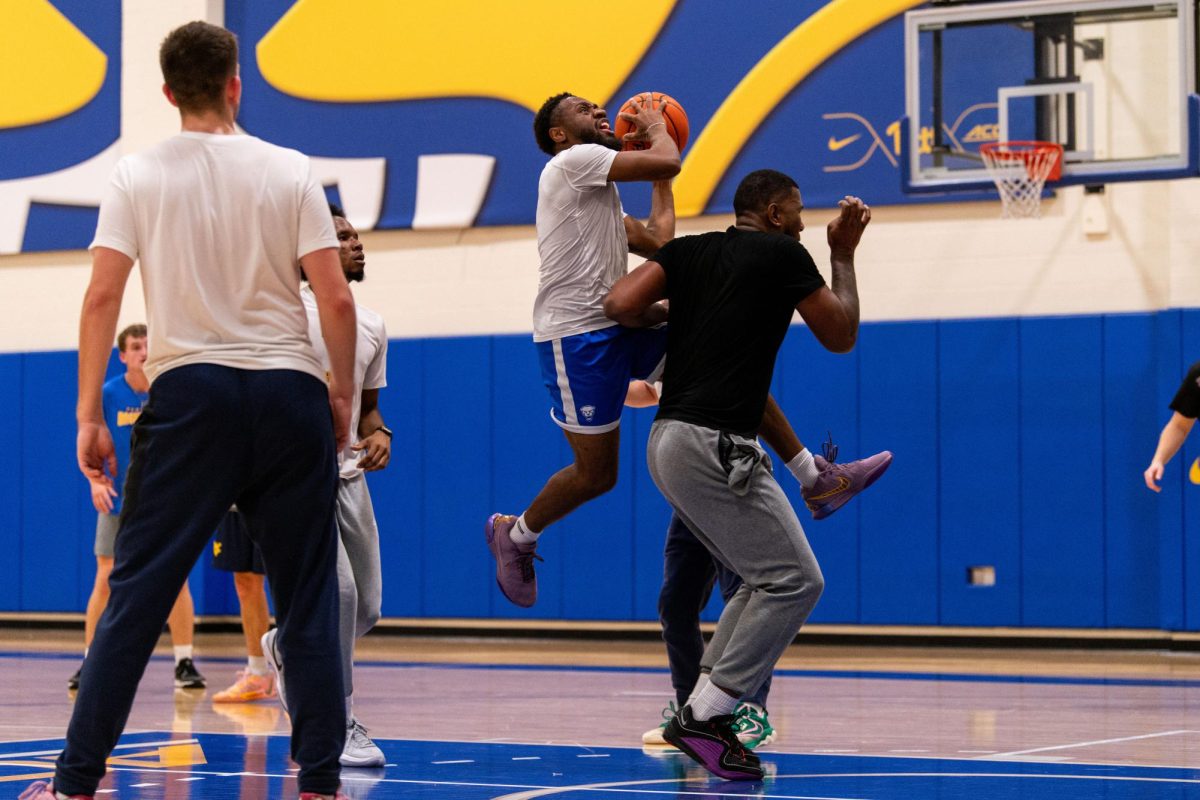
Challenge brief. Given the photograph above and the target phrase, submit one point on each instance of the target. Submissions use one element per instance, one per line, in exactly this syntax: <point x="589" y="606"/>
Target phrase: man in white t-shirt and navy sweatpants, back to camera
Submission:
<point x="239" y="410"/>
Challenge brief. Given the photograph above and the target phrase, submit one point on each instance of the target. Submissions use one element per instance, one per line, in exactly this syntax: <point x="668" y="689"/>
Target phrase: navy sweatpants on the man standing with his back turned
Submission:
<point x="212" y="437"/>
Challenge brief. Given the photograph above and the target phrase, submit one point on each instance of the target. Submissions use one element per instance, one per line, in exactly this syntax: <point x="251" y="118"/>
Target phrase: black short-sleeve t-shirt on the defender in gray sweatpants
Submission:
<point x="731" y="297"/>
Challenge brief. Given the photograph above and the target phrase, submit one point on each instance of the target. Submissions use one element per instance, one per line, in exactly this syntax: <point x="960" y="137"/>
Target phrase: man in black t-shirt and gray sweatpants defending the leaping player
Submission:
<point x="733" y="297"/>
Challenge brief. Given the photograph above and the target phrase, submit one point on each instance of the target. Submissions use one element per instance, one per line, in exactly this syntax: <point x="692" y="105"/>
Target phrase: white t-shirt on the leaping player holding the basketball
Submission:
<point x="581" y="240"/>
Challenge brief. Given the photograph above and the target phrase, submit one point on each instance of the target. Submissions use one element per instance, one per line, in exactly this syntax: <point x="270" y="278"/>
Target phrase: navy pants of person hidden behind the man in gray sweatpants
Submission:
<point x="689" y="573"/>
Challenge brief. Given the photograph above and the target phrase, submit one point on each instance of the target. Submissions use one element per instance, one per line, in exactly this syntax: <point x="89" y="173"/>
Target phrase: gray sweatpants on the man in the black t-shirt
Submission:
<point x="722" y="486"/>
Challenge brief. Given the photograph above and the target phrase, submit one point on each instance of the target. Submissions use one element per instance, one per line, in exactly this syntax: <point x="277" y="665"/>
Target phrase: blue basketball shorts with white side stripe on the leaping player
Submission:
<point x="589" y="375"/>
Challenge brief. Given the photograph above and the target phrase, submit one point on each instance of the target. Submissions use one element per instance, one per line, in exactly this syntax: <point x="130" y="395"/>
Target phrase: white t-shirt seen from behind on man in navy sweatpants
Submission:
<point x="219" y="224"/>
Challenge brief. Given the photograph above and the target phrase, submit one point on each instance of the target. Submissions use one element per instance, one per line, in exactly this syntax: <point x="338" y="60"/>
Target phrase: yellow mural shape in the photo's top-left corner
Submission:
<point x="49" y="68"/>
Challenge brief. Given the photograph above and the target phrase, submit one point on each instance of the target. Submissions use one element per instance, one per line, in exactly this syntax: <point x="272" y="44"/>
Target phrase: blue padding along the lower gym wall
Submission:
<point x="1019" y="446"/>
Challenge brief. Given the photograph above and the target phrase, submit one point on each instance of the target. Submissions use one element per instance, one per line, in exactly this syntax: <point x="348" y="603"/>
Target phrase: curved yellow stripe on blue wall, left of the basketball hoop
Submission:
<point x="794" y="59"/>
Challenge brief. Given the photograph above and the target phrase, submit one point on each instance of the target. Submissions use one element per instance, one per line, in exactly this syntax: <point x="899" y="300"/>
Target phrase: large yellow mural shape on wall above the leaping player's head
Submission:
<point x="406" y="51"/>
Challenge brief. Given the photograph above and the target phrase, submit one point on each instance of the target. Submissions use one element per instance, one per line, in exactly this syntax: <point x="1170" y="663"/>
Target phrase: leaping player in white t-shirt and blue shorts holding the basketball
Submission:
<point x="584" y="240"/>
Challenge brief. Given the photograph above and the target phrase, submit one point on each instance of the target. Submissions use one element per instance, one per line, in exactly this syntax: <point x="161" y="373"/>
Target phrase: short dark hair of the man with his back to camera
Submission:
<point x="197" y="61"/>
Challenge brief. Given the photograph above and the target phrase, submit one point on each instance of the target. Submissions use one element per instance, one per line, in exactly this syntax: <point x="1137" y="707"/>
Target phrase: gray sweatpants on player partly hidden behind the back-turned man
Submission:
<point x="359" y="572"/>
